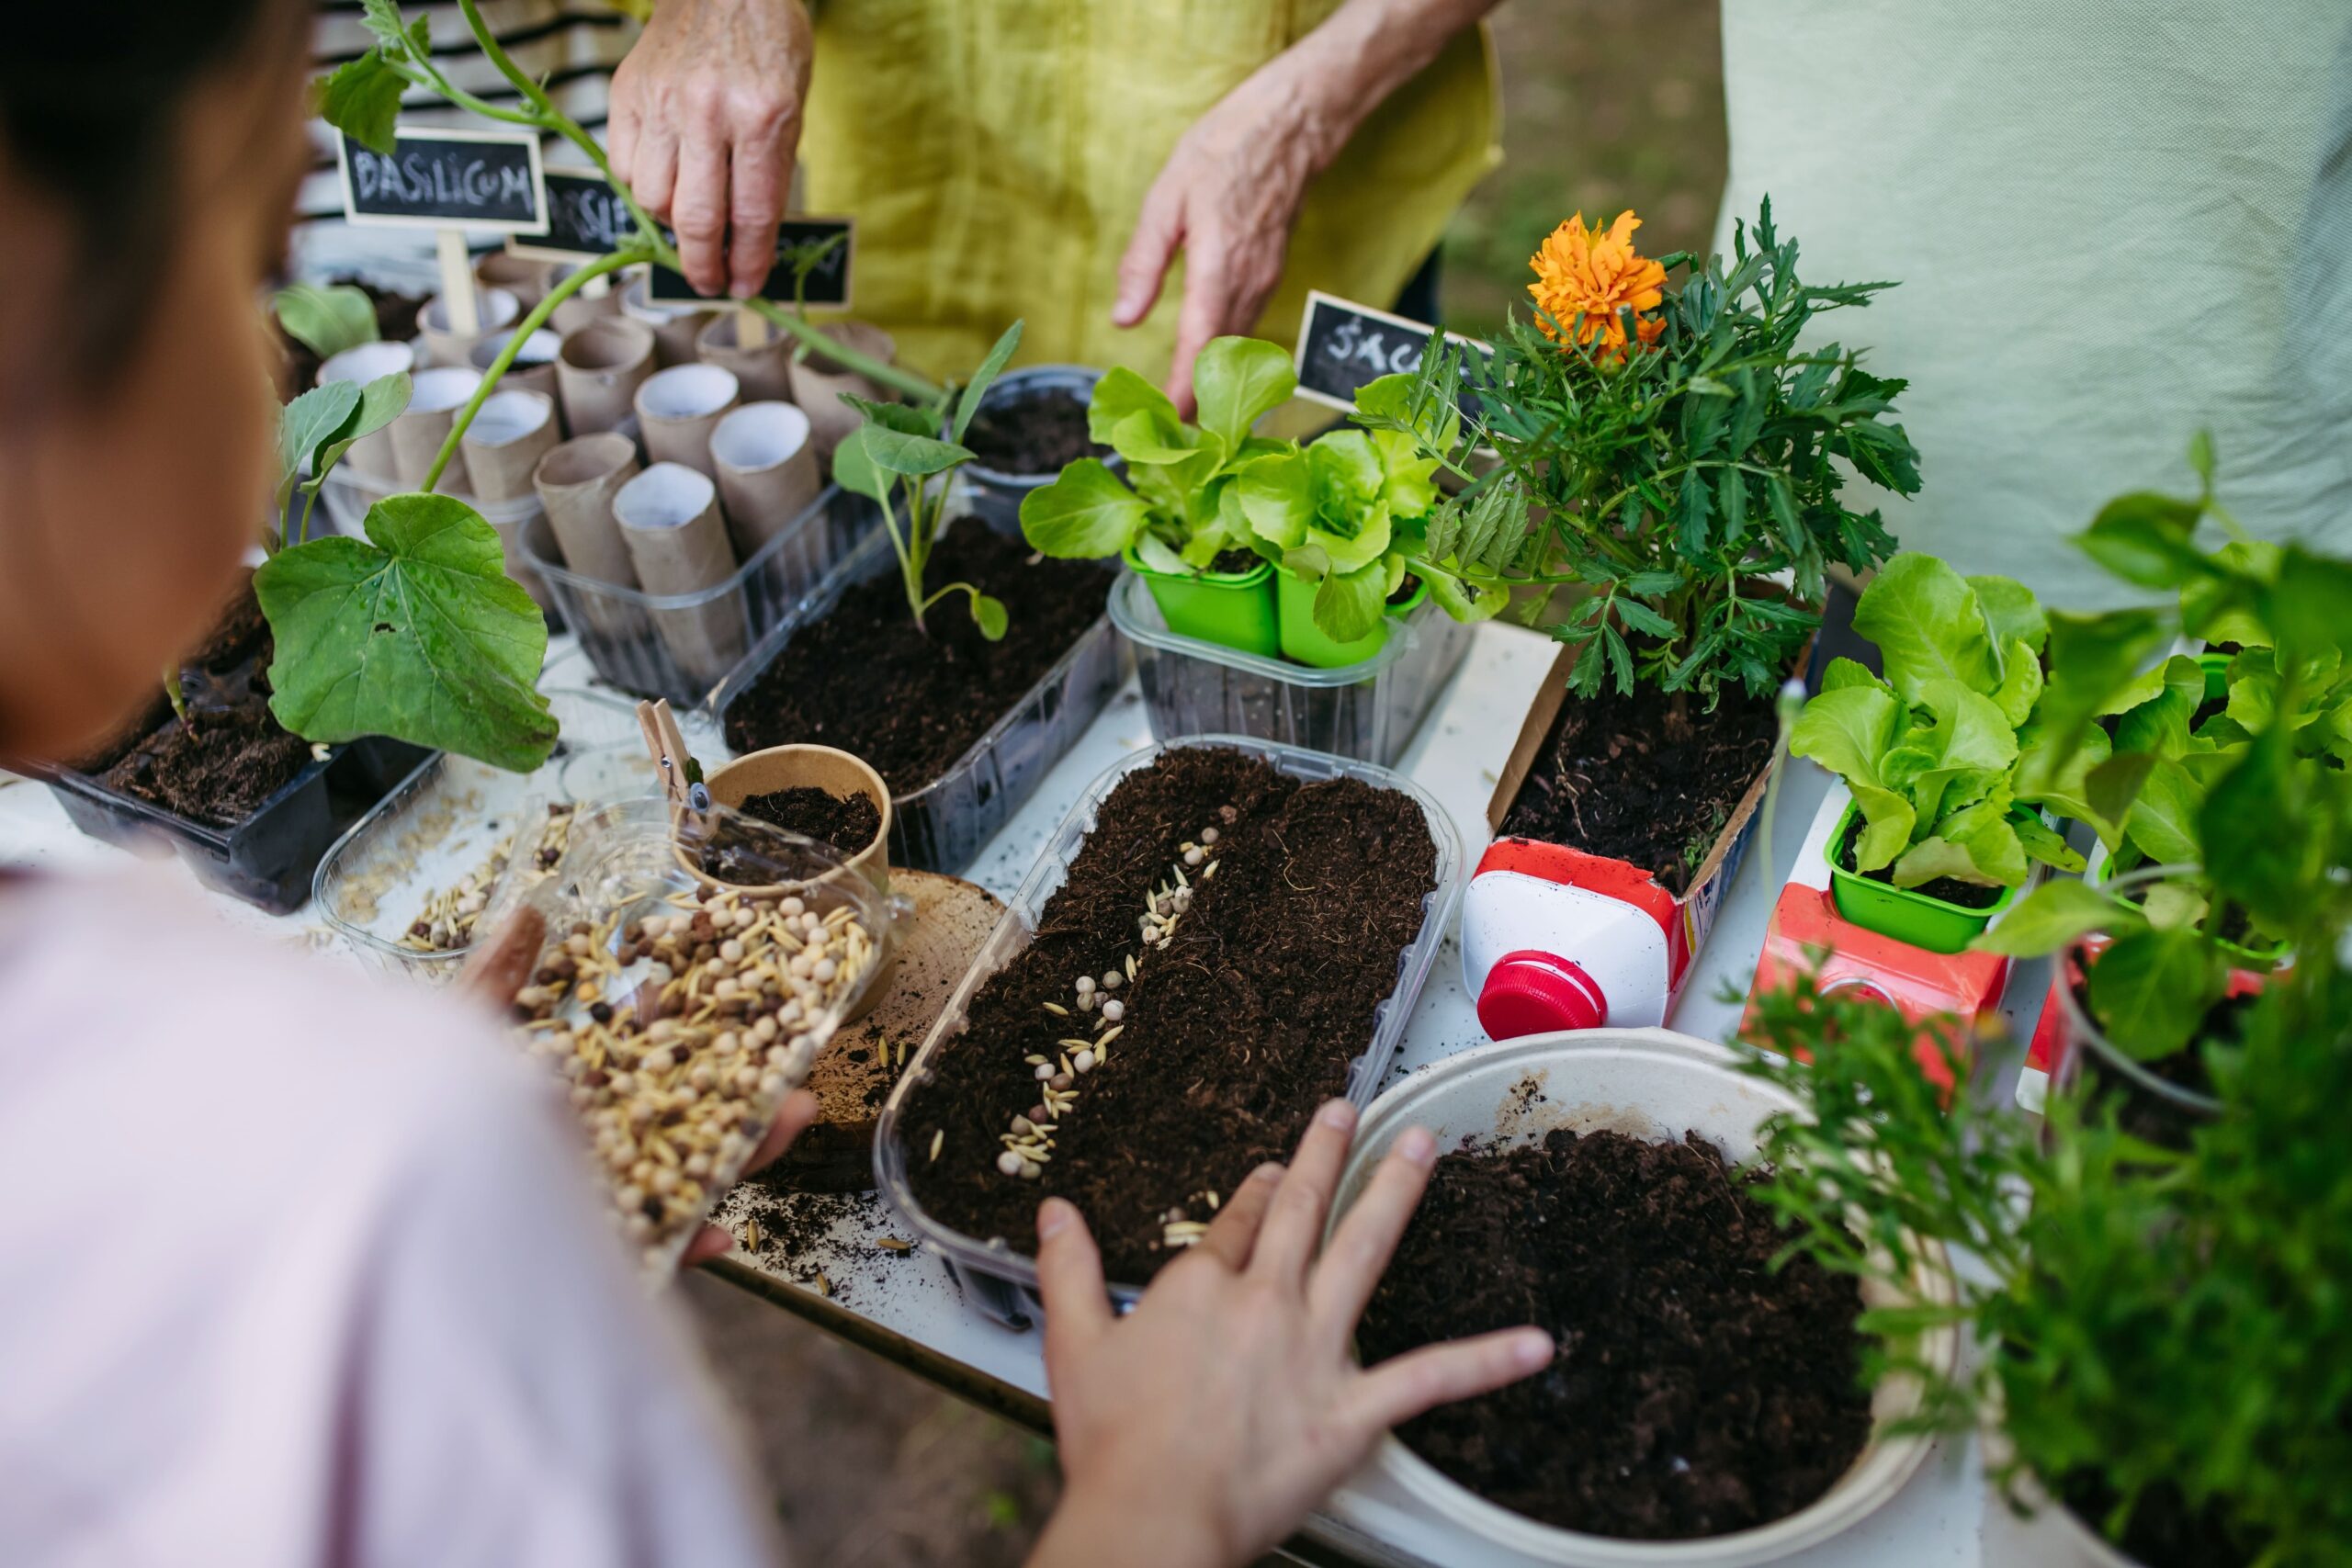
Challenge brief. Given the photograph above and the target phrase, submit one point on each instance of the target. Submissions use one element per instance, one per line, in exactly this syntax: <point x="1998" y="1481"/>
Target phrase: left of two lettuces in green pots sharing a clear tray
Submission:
<point x="1180" y="507"/>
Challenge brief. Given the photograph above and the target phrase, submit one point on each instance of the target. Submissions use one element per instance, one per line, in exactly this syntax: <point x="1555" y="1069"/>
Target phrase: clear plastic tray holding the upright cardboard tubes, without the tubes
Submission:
<point x="620" y="626"/>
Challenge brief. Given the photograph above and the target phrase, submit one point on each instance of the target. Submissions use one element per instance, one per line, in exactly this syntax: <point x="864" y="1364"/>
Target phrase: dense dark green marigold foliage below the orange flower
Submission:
<point x="1669" y="469"/>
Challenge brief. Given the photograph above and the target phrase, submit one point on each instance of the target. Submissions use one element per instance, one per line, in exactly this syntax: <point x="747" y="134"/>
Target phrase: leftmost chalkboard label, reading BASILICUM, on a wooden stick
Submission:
<point x="448" y="180"/>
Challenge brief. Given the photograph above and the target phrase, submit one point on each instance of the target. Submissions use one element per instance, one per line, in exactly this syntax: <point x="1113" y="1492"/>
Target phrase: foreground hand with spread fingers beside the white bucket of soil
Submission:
<point x="1227" y="1405"/>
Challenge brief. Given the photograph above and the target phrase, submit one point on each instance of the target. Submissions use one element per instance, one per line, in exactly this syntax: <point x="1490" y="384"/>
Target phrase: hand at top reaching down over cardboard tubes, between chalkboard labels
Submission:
<point x="704" y="130"/>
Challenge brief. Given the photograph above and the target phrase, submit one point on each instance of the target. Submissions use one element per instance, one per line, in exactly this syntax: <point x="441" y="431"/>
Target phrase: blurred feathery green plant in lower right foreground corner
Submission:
<point x="2163" y="1334"/>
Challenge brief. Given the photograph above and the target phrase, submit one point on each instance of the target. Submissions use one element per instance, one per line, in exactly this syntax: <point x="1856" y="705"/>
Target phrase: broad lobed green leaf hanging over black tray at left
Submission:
<point x="415" y="634"/>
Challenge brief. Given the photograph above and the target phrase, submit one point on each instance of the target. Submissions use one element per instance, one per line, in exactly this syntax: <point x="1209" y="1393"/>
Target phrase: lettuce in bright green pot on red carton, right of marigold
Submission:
<point x="1932" y="756"/>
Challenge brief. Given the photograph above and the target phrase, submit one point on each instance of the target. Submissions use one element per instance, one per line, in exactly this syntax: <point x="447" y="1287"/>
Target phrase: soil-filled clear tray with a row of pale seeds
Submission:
<point x="1222" y="937"/>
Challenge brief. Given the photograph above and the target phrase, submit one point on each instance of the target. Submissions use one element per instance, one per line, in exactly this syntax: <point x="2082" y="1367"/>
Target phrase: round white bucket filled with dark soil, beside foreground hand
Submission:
<point x="1591" y="1184"/>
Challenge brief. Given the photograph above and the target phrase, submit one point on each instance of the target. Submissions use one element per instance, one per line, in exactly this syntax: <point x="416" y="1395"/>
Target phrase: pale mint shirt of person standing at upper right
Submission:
<point x="2111" y="225"/>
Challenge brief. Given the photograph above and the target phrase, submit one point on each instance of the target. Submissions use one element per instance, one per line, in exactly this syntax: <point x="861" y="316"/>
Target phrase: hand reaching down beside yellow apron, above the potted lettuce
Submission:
<point x="1227" y="196"/>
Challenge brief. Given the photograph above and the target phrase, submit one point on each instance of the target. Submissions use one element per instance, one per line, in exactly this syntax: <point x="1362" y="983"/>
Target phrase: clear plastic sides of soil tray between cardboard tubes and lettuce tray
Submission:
<point x="942" y="826"/>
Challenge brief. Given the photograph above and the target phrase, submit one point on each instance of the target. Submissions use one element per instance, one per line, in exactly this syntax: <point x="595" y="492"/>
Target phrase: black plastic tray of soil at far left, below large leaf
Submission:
<point x="250" y="805"/>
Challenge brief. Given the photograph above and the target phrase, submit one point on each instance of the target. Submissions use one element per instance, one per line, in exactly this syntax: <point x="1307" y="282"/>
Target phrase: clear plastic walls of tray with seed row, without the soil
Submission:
<point x="991" y="1273"/>
